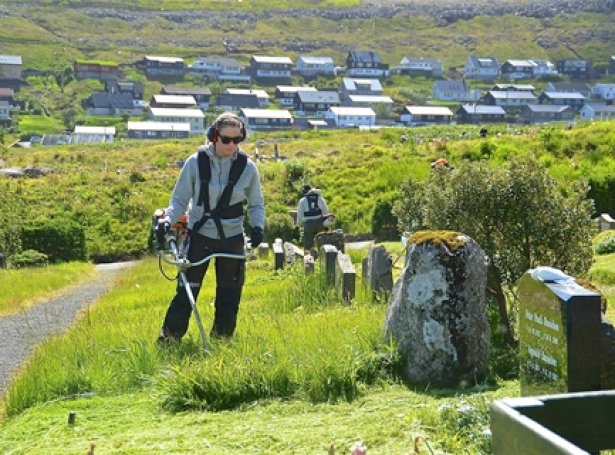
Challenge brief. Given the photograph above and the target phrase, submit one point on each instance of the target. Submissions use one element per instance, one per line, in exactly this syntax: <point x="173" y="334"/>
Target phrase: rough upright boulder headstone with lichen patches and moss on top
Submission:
<point x="437" y="313"/>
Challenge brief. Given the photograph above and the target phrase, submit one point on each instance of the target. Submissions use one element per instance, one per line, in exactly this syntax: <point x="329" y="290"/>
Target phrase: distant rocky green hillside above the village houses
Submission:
<point x="52" y="36"/>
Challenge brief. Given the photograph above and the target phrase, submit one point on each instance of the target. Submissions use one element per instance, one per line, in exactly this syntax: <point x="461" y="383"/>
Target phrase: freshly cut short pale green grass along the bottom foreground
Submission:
<point x="386" y="419"/>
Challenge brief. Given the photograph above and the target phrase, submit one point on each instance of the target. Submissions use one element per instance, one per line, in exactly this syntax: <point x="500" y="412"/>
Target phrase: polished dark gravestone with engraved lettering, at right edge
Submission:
<point x="559" y="334"/>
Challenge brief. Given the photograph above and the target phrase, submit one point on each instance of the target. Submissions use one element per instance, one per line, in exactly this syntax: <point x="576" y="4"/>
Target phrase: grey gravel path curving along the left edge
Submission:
<point x="21" y="332"/>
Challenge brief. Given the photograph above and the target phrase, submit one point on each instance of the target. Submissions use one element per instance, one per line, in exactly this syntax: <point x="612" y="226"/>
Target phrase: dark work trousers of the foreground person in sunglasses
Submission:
<point x="230" y="276"/>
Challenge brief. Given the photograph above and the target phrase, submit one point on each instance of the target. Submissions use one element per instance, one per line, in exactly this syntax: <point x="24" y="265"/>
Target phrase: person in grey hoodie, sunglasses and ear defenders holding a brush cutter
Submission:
<point x="218" y="179"/>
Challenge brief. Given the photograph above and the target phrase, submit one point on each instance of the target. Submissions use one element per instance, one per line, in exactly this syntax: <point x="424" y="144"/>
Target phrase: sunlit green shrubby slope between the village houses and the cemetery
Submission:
<point x="113" y="189"/>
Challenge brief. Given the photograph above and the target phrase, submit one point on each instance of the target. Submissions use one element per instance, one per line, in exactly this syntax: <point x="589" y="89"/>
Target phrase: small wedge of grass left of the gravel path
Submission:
<point x="20" y="289"/>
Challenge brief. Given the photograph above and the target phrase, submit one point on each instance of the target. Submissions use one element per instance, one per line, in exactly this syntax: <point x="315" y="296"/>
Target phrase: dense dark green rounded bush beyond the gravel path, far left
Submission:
<point x="61" y="240"/>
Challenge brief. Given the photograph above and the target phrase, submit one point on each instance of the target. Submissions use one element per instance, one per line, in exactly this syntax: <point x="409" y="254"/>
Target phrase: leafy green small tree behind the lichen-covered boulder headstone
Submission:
<point x="519" y="215"/>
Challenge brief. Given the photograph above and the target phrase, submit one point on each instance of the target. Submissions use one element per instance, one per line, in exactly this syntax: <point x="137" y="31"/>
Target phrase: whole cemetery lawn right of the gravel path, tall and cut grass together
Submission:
<point x="299" y="360"/>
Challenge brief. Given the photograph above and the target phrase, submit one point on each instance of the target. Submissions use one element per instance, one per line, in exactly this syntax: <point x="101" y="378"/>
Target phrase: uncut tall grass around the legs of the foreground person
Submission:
<point x="293" y="339"/>
